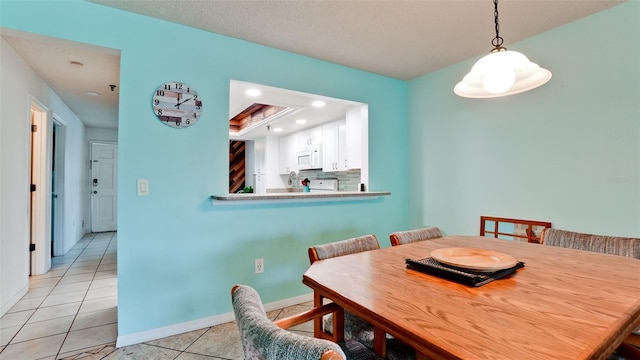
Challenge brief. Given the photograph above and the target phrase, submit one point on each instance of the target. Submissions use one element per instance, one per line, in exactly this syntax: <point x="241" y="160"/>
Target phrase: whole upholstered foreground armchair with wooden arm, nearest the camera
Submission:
<point x="263" y="339"/>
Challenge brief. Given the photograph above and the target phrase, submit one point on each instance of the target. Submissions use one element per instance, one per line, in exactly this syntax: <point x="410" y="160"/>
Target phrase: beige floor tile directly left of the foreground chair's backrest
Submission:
<point x="221" y="341"/>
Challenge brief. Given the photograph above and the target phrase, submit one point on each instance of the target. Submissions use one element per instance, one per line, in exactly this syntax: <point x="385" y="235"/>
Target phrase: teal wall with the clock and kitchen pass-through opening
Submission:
<point x="178" y="255"/>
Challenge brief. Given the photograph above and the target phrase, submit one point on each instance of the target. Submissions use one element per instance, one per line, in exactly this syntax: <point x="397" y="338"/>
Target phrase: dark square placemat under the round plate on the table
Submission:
<point x="464" y="276"/>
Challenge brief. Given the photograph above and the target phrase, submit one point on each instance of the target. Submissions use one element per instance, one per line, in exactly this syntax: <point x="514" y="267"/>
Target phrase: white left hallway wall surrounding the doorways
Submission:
<point x="17" y="83"/>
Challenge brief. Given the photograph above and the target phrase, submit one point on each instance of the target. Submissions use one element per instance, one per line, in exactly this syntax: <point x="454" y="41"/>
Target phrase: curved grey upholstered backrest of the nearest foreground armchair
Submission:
<point x="262" y="339"/>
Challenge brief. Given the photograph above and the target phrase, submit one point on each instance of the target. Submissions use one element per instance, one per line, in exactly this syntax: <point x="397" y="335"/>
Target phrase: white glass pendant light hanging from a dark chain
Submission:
<point x="502" y="72"/>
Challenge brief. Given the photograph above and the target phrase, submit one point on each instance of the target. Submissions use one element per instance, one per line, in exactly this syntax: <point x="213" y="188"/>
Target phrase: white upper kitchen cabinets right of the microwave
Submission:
<point x="342" y="142"/>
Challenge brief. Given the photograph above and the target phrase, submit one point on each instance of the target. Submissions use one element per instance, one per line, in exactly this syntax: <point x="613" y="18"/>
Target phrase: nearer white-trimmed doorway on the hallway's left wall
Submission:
<point x="40" y="175"/>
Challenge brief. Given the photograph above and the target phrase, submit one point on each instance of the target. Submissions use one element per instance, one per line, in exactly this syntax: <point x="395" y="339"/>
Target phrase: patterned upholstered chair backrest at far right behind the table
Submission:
<point x="622" y="246"/>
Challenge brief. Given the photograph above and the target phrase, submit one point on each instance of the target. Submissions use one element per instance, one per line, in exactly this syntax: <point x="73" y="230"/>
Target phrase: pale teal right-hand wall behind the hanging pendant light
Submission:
<point x="567" y="152"/>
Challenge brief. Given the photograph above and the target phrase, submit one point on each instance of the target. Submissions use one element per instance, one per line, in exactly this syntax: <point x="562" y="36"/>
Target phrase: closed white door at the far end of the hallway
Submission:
<point x="104" y="165"/>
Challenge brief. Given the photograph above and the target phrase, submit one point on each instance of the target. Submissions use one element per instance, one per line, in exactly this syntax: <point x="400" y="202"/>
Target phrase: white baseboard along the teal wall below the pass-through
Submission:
<point x="181" y="328"/>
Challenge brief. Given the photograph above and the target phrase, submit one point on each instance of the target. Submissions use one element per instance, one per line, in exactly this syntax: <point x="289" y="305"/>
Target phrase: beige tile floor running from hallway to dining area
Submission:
<point x="71" y="313"/>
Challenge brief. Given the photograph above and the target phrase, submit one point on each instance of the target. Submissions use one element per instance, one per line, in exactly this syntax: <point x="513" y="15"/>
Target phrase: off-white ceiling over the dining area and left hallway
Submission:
<point x="399" y="39"/>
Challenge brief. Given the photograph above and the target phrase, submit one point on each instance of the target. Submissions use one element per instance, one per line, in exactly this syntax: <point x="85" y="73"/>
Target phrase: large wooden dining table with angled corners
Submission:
<point x="563" y="304"/>
